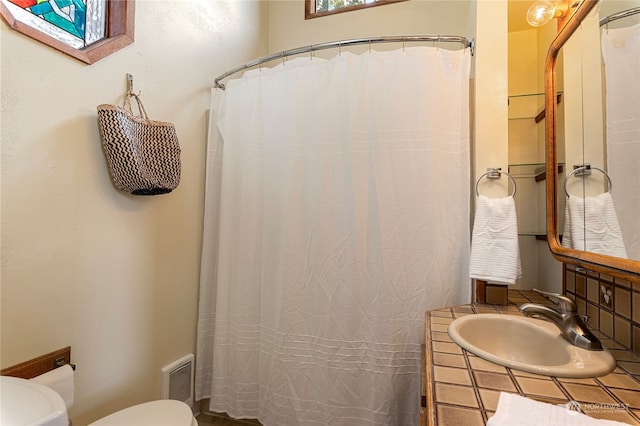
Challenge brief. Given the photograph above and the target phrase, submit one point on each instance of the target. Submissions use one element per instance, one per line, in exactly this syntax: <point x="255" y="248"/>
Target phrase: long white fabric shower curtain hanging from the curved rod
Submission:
<point x="337" y="213"/>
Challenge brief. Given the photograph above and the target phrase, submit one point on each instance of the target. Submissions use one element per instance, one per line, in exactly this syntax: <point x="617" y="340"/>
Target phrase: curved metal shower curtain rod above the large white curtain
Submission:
<point x="344" y="43"/>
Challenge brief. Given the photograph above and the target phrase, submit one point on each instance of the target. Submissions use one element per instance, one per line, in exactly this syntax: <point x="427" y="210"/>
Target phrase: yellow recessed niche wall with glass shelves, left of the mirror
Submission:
<point x="527" y="53"/>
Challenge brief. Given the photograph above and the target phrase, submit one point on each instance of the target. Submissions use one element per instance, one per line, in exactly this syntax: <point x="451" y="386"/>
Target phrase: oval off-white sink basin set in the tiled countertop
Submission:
<point x="527" y="344"/>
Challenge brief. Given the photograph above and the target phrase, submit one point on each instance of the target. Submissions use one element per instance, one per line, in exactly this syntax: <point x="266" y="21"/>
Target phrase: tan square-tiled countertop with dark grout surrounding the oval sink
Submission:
<point x="460" y="388"/>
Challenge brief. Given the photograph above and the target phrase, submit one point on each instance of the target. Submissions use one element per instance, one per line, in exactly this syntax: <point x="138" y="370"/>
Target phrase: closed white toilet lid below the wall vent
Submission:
<point x="165" y="412"/>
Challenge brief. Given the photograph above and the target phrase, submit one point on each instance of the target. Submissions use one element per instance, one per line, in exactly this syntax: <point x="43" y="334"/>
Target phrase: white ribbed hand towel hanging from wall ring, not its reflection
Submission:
<point x="495" y="255"/>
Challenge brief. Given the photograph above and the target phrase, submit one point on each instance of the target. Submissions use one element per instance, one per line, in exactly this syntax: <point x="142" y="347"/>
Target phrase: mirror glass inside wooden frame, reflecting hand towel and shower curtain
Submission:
<point x="598" y="133"/>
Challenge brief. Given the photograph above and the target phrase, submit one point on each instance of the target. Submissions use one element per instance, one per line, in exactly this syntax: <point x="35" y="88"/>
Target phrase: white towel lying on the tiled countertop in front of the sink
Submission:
<point x="517" y="410"/>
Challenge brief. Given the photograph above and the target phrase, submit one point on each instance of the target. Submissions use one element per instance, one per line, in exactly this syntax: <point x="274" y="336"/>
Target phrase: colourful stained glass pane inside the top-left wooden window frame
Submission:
<point x="77" y="23"/>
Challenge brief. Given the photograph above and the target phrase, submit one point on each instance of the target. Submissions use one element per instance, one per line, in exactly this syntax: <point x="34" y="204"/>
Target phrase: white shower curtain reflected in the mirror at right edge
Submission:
<point x="621" y="56"/>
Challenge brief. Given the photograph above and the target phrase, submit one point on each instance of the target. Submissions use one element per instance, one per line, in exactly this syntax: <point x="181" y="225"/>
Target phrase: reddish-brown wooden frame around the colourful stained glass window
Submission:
<point x="119" y="34"/>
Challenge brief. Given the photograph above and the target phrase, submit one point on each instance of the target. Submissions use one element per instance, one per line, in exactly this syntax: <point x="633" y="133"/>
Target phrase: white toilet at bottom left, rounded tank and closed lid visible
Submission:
<point x="25" y="402"/>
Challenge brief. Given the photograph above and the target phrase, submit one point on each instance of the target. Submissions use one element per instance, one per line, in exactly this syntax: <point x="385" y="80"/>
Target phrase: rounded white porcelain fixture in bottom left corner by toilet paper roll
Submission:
<point x="25" y="402"/>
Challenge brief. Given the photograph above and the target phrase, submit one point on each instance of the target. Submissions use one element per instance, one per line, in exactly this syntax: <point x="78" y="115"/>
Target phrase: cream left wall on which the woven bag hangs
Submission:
<point x="114" y="276"/>
